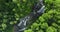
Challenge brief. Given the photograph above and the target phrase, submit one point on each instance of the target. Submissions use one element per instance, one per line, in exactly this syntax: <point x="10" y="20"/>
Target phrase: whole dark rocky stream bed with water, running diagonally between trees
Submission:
<point x="24" y="22"/>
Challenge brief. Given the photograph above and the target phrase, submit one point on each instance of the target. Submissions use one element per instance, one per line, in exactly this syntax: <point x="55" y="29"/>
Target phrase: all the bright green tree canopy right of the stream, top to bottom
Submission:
<point x="50" y="20"/>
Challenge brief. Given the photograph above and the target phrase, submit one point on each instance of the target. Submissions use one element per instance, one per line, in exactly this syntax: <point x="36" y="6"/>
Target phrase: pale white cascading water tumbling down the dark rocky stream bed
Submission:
<point x="24" y="21"/>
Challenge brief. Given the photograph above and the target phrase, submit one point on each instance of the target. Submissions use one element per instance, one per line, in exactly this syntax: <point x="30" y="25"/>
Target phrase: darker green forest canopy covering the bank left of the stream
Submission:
<point x="12" y="10"/>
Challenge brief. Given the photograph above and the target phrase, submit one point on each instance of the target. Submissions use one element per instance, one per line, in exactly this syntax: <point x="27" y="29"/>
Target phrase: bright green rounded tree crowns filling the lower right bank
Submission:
<point x="49" y="22"/>
